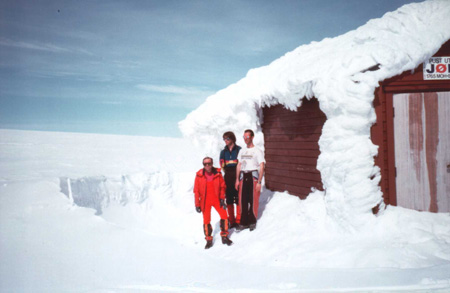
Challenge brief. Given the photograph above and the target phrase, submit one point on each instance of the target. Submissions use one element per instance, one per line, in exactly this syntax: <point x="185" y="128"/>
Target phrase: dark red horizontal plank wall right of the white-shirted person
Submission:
<point x="291" y="147"/>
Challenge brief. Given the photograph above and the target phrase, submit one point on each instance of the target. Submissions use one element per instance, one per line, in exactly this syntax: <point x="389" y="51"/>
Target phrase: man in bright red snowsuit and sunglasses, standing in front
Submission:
<point x="209" y="191"/>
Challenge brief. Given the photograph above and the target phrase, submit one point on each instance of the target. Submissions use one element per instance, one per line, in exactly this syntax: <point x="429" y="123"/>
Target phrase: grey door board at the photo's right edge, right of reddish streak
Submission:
<point x="443" y="153"/>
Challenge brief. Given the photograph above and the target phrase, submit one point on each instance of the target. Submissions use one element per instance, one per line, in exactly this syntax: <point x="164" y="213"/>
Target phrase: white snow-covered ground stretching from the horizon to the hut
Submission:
<point x="104" y="213"/>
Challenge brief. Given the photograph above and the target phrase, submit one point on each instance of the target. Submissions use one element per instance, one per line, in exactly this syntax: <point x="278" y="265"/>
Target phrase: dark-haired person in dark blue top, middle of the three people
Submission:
<point x="228" y="162"/>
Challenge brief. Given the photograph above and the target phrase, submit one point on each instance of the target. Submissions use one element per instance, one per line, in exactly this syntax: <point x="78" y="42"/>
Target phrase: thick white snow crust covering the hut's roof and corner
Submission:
<point x="333" y="71"/>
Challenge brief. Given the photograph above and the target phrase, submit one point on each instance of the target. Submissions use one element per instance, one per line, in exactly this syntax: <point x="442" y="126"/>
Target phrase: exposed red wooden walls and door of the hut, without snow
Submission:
<point x="412" y="132"/>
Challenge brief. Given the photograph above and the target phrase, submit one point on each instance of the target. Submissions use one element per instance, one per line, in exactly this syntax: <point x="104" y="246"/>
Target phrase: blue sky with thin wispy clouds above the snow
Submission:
<point x="139" y="67"/>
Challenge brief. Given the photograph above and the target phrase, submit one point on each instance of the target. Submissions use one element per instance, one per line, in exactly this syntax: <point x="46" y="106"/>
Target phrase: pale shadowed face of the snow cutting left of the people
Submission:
<point x="98" y="192"/>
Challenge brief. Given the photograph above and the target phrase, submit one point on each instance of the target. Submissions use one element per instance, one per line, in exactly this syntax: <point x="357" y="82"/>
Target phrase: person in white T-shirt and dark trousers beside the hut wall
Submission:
<point x="249" y="173"/>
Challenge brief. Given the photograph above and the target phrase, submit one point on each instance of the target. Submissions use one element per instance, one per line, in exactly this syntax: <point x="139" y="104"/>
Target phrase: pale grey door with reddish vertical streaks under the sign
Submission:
<point x="422" y="150"/>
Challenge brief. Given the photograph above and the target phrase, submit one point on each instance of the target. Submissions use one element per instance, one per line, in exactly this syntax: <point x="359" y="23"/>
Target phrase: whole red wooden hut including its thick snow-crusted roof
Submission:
<point x="371" y="127"/>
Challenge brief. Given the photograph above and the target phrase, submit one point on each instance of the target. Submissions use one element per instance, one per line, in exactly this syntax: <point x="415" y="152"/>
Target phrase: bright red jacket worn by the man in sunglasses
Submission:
<point x="200" y="187"/>
